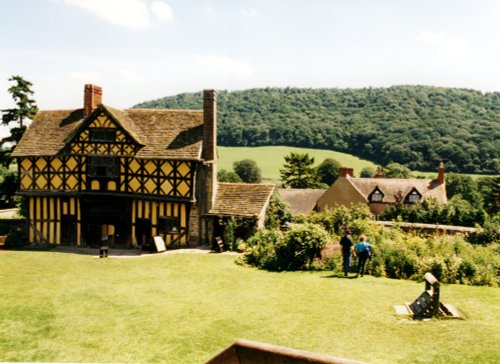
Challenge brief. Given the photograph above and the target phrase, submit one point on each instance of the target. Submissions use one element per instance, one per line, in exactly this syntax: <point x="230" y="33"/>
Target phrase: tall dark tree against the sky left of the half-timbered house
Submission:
<point x="25" y="109"/>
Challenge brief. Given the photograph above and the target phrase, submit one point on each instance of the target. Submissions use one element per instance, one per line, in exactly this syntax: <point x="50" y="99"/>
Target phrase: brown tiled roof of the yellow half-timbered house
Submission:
<point x="162" y="134"/>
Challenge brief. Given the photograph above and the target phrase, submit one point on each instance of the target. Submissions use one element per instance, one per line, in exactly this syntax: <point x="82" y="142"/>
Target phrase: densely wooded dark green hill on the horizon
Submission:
<point x="417" y="126"/>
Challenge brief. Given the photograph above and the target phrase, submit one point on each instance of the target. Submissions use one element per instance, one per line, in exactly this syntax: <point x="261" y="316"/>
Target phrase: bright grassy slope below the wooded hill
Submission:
<point x="271" y="159"/>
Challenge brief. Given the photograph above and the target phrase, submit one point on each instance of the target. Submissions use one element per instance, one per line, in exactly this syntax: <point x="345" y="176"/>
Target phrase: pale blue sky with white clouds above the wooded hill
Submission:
<point x="139" y="50"/>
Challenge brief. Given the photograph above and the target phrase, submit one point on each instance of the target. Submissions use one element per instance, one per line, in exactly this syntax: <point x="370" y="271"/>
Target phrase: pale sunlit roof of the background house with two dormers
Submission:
<point x="393" y="187"/>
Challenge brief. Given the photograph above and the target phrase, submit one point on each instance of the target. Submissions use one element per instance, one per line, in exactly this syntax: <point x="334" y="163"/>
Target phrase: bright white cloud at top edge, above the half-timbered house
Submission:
<point x="133" y="14"/>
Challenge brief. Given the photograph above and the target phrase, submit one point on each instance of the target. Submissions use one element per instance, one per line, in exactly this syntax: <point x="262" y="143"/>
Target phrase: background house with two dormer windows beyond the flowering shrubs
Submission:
<point x="380" y="192"/>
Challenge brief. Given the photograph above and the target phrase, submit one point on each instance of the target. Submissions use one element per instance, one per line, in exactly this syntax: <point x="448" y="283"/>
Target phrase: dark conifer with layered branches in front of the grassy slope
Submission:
<point x="298" y="171"/>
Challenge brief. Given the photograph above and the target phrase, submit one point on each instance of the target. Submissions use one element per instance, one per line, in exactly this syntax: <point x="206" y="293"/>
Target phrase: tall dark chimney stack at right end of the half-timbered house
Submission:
<point x="209" y="125"/>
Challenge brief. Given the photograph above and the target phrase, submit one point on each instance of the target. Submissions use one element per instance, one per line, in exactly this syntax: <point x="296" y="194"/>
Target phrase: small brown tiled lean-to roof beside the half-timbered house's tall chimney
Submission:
<point x="241" y="199"/>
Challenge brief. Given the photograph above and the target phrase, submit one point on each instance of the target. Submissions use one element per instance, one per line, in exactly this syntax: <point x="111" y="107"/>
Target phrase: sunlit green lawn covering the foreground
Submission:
<point x="184" y="308"/>
